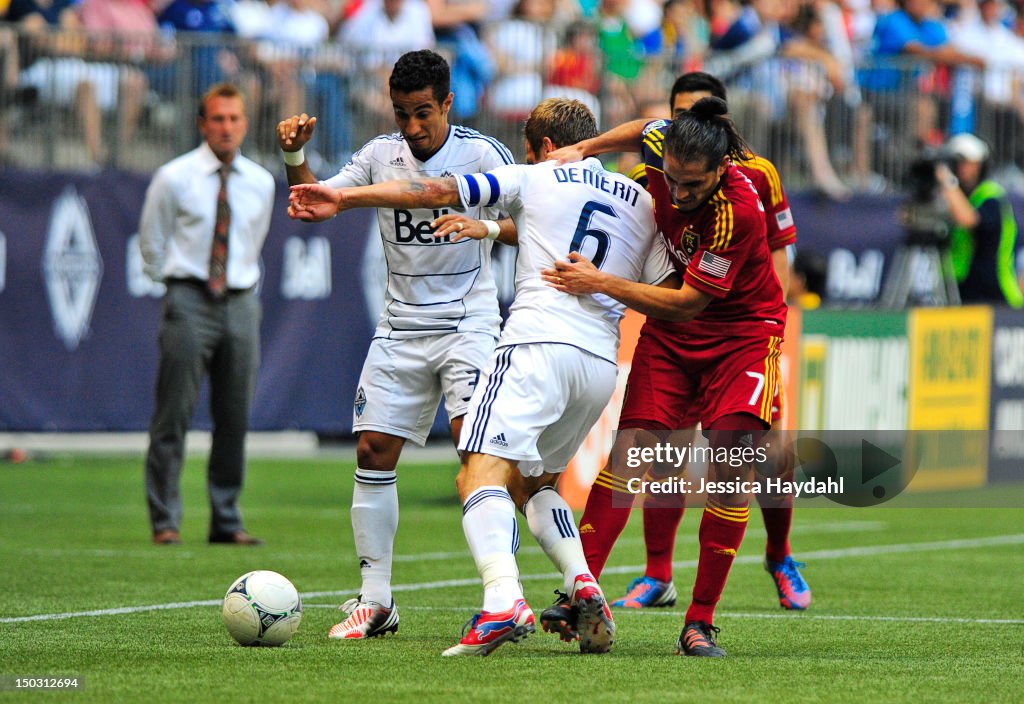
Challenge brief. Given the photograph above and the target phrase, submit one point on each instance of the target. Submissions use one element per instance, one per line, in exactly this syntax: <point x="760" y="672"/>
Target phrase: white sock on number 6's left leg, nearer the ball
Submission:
<point x="493" y="535"/>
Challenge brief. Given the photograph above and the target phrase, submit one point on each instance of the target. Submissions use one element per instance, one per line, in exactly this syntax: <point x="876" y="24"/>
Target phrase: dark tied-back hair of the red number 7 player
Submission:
<point x="704" y="133"/>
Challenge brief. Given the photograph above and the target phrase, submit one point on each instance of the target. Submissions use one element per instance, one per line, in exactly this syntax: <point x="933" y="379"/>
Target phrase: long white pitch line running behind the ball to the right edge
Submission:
<point x="964" y="544"/>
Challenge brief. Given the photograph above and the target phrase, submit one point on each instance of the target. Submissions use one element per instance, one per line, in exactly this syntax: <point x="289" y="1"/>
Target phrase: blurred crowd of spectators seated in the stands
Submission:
<point x="898" y="75"/>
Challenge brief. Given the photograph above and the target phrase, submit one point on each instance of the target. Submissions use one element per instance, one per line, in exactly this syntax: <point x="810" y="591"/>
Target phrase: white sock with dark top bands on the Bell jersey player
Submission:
<point x="375" y="522"/>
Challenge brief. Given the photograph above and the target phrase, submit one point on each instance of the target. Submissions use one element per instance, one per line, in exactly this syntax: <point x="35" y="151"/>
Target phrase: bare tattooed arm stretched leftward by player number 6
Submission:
<point x="316" y="202"/>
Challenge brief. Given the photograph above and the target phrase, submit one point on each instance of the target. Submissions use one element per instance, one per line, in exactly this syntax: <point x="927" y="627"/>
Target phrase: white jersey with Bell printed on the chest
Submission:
<point x="435" y="287"/>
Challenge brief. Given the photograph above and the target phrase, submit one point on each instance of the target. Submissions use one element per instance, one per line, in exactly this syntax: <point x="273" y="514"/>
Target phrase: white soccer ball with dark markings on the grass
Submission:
<point x="263" y="608"/>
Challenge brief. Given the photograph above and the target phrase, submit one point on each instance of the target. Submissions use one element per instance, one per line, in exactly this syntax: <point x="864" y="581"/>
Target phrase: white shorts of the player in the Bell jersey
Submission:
<point x="403" y="381"/>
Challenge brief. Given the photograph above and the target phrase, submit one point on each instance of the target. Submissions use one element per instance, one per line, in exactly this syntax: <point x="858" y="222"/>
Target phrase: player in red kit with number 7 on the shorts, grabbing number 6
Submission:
<point x="714" y="344"/>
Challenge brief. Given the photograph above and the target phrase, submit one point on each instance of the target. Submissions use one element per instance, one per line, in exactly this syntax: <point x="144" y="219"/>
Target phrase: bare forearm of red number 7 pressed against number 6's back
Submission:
<point x="667" y="301"/>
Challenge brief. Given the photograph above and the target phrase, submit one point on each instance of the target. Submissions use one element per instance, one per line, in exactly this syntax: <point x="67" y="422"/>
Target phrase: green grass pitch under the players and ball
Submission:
<point x="915" y="605"/>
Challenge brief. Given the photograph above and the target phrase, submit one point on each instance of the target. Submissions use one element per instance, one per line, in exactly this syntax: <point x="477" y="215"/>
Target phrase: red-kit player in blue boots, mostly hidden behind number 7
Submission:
<point x="664" y="512"/>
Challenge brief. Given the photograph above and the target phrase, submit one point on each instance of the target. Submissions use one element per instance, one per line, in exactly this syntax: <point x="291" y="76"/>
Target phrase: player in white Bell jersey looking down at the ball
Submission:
<point x="441" y="318"/>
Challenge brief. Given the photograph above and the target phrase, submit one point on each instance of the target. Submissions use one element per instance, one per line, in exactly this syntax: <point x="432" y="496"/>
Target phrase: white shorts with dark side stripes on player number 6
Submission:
<point x="536" y="404"/>
